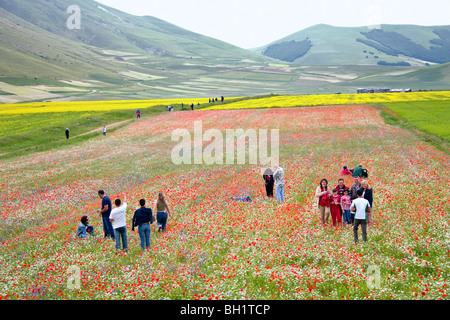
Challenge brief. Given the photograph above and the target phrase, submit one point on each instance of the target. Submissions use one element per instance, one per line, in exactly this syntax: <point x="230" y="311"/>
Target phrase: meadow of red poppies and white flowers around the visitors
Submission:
<point x="216" y="248"/>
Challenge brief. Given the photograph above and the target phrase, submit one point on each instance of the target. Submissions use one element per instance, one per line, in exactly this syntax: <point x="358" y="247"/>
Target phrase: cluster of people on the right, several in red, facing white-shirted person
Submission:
<point x="348" y="206"/>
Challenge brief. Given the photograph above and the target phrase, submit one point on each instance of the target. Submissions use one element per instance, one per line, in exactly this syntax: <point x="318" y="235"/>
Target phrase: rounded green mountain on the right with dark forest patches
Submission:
<point x="391" y="44"/>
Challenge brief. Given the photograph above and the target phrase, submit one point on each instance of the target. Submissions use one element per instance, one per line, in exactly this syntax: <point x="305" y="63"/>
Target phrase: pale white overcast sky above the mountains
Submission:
<point x="254" y="23"/>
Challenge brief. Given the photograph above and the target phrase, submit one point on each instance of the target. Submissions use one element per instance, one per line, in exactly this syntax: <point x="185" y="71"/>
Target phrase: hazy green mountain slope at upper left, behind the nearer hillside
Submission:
<point x="108" y="28"/>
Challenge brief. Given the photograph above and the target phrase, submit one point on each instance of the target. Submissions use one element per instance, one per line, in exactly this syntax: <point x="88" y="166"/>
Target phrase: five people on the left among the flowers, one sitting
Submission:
<point x="114" y="220"/>
